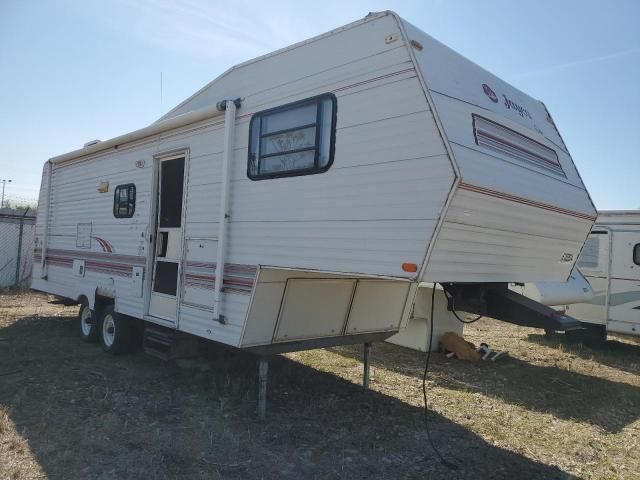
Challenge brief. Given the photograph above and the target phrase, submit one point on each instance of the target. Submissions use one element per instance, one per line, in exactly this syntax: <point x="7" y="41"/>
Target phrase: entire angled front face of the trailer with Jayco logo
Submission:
<point x="520" y="210"/>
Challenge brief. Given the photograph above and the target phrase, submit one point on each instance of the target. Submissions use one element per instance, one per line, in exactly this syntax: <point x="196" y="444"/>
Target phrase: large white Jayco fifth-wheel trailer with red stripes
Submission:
<point x="300" y="198"/>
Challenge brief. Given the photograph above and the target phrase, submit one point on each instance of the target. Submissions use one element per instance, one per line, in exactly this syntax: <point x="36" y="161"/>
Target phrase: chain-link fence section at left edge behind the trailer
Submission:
<point x="17" y="237"/>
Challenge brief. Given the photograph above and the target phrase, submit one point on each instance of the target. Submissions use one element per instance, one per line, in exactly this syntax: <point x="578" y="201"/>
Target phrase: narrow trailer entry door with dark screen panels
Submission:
<point x="163" y="301"/>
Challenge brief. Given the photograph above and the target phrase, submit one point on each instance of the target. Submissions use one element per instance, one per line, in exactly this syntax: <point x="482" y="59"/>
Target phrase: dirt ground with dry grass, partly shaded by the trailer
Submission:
<point x="557" y="408"/>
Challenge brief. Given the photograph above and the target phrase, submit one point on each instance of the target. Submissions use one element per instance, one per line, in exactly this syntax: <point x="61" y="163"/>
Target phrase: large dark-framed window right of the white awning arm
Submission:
<point x="295" y="139"/>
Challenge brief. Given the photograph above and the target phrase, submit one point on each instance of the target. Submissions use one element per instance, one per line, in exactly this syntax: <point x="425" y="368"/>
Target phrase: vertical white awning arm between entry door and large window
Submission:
<point x="229" y="107"/>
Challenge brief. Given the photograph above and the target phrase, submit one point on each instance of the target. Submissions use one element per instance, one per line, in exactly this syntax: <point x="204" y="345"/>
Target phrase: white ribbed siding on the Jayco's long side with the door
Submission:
<point x="373" y="210"/>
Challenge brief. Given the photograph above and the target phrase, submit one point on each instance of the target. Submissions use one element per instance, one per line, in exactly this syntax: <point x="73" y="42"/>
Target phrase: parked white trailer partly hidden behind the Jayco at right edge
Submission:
<point x="610" y="261"/>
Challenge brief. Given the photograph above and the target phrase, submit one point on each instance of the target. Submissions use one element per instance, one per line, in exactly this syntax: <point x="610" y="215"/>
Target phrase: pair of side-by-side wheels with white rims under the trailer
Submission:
<point x="111" y="329"/>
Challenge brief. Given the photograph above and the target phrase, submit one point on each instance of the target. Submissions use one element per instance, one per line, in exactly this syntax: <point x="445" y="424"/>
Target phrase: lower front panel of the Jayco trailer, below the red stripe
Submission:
<point x="489" y="239"/>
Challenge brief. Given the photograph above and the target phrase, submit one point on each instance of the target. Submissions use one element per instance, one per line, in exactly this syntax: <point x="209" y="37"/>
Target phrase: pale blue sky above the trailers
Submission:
<point x="74" y="71"/>
